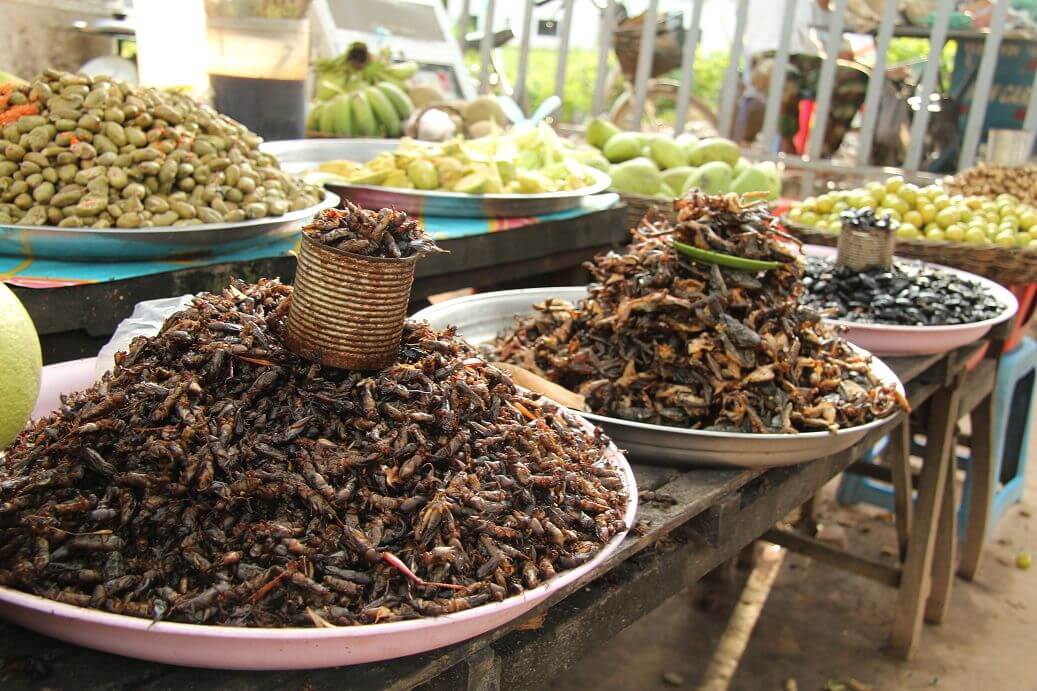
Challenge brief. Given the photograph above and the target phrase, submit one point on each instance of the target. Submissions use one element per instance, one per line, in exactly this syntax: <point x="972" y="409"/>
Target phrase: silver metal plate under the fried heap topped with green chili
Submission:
<point x="481" y="318"/>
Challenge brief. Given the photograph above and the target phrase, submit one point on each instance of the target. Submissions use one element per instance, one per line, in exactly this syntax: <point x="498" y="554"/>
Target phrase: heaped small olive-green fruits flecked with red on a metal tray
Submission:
<point x="93" y="152"/>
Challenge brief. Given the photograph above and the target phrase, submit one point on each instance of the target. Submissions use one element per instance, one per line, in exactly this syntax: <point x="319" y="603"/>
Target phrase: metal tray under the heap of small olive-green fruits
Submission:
<point x="162" y="243"/>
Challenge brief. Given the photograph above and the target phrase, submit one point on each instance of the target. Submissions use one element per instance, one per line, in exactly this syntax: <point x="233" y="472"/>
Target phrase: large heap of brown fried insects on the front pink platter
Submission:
<point x="216" y="478"/>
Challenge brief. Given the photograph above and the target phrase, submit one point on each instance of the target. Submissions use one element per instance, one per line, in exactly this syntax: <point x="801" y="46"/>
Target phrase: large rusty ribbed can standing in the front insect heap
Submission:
<point x="348" y="311"/>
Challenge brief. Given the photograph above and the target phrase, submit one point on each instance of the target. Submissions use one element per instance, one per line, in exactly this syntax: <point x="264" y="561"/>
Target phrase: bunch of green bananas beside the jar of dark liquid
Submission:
<point x="361" y="95"/>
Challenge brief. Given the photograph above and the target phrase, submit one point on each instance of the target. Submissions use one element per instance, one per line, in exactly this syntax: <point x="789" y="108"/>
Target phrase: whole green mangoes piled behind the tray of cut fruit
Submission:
<point x="666" y="168"/>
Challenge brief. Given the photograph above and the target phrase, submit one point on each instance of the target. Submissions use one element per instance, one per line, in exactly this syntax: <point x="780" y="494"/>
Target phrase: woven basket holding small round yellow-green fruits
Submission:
<point x="1008" y="267"/>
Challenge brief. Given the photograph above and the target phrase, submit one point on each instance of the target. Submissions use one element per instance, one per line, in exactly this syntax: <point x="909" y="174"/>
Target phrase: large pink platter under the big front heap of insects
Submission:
<point x="229" y="648"/>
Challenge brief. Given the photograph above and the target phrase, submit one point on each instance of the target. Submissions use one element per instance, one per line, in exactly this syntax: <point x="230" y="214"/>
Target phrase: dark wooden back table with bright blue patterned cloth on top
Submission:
<point x="75" y="318"/>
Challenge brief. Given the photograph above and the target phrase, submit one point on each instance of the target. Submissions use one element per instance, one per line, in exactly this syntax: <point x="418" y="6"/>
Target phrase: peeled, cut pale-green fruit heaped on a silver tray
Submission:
<point x="532" y="162"/>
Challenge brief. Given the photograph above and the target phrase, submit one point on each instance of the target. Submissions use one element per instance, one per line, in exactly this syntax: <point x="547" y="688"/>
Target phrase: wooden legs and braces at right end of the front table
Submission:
<point x="950" y="386"/>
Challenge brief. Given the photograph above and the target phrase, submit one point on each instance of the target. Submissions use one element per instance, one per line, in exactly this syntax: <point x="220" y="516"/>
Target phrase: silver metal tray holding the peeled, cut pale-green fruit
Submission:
<point x="302" y="155"/>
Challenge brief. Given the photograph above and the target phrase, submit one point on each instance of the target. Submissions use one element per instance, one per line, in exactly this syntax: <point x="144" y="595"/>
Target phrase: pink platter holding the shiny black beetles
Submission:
<point x="893" y="341"/>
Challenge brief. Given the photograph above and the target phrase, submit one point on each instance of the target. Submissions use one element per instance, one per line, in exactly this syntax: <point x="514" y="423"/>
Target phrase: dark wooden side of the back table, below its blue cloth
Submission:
<point x="75" y="322"/>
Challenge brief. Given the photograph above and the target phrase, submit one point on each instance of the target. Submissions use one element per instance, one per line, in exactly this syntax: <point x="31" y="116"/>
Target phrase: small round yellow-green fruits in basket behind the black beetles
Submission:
<point x="928" y="213"/>
